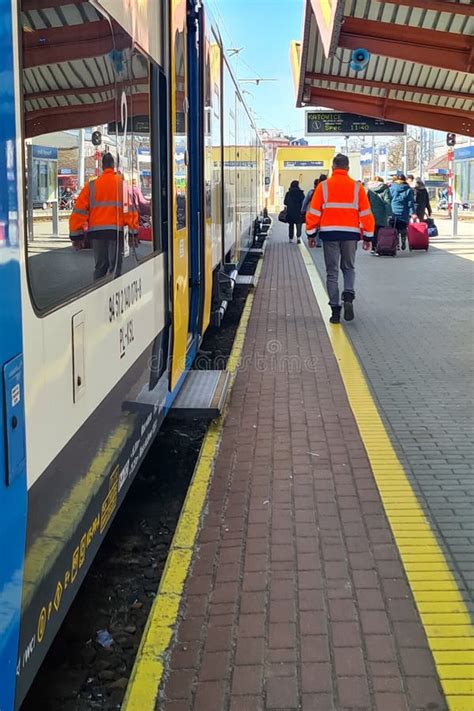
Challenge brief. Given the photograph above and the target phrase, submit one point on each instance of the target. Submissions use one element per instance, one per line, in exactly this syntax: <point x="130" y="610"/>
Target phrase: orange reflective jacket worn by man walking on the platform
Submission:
<point x="340" y="209"/>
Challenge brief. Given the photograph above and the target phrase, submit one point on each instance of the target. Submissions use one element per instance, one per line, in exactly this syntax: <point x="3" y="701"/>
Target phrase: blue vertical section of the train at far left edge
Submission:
<point x="12" y="433"/>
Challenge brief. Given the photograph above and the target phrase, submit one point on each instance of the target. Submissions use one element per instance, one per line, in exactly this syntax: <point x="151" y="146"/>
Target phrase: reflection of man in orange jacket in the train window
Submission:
<point x="103" y="204"/>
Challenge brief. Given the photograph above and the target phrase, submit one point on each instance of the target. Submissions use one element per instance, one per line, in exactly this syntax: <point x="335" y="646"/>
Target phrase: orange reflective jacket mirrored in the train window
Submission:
<point x="104" y="206"/>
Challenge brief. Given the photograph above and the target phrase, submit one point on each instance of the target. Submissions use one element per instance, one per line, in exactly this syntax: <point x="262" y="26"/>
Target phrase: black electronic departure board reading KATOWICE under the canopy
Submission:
<point x="338" y="123"/>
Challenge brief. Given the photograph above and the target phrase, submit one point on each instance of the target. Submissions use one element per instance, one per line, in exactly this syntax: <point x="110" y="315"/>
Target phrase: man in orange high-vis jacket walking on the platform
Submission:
<point x="340" y="211"/>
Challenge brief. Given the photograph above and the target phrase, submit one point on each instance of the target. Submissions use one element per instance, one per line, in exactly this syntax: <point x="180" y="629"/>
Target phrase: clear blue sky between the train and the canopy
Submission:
<point x="264" y="29"/>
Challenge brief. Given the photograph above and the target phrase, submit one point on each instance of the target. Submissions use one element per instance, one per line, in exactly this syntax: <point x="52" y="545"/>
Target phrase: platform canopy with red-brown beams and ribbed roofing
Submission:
<point x="421" y="60"/>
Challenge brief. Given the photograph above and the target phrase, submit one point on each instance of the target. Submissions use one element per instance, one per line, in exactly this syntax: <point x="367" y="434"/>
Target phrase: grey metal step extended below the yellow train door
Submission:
<point x="202" y="395"/>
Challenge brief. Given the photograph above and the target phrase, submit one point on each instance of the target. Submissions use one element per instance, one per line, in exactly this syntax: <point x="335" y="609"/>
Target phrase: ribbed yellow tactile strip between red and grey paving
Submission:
<point x="441" y="605"/>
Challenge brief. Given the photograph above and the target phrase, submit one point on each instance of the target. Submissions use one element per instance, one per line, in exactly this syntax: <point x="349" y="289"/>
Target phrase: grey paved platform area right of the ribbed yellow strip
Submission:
<point x="413" y="333"/>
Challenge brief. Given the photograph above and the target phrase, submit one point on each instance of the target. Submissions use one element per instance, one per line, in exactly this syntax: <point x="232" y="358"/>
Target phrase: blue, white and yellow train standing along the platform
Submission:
<point x="136" y="77"/>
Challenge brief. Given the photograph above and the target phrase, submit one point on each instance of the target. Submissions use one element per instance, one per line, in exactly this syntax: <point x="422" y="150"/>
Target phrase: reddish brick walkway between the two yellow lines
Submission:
<point x="297" y="597"/>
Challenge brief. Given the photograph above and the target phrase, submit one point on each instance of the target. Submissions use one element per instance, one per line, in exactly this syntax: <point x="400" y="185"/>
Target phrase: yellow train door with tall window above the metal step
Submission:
<point x="180" y="233"/>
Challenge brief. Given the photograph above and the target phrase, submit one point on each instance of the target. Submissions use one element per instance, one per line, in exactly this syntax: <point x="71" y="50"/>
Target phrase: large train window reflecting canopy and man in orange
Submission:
<point x="87" y="95"/>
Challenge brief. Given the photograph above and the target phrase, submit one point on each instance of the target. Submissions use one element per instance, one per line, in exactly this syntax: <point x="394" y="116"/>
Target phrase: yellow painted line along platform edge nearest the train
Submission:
<point x="148" y="669"/>
